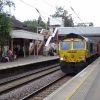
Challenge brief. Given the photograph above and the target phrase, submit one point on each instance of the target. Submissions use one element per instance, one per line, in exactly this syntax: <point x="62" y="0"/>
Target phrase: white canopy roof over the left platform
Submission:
<point x="26" y="35"/>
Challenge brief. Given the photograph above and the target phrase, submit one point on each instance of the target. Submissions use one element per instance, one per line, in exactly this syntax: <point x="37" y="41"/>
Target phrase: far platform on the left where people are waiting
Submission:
<point x="25" y="61"/>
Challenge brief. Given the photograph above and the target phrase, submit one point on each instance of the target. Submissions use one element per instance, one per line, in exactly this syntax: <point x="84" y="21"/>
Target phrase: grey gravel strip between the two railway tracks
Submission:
<point x="25" y="90"/>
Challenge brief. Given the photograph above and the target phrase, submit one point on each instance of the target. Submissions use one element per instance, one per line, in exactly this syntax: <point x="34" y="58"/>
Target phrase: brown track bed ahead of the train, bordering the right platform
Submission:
<point x="40" y="95"/>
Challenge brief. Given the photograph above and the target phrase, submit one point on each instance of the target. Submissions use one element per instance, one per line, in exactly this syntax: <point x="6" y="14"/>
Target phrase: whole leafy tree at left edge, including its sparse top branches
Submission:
<point x="5" y="22"/>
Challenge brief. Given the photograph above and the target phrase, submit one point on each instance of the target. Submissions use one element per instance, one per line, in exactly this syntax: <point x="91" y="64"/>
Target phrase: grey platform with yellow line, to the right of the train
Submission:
<point x="84" y="86"/>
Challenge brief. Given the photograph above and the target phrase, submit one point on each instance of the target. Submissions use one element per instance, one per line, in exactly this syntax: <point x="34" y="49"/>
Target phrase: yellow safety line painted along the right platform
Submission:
<point x="79" y="85"/>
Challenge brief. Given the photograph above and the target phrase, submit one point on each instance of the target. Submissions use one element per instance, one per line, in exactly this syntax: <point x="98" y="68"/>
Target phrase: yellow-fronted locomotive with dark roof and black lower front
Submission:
<point x="75" y="52"/>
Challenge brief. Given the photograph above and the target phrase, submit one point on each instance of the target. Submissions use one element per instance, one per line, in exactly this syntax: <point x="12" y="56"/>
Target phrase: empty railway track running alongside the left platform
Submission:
<point x="15" y="81"/>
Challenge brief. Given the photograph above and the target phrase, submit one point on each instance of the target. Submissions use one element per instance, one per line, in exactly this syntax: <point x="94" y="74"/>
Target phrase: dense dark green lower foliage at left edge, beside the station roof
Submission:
<point x="5" y="28"/>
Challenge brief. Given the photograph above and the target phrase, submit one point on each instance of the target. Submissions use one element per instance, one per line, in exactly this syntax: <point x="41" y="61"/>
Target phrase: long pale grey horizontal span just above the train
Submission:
<point x="86" y="31"/>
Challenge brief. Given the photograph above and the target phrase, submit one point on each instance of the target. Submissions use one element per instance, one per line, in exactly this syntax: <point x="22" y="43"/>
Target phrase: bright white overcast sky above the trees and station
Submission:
<point x="87" y="10"/>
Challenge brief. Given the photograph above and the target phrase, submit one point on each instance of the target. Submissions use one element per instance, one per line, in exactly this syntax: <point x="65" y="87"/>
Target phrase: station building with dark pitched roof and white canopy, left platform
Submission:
<point x="25" y="40"/>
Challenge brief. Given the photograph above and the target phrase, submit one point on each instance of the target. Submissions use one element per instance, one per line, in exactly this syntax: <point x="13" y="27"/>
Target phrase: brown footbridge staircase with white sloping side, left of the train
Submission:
<point x="38" y="46"/>
